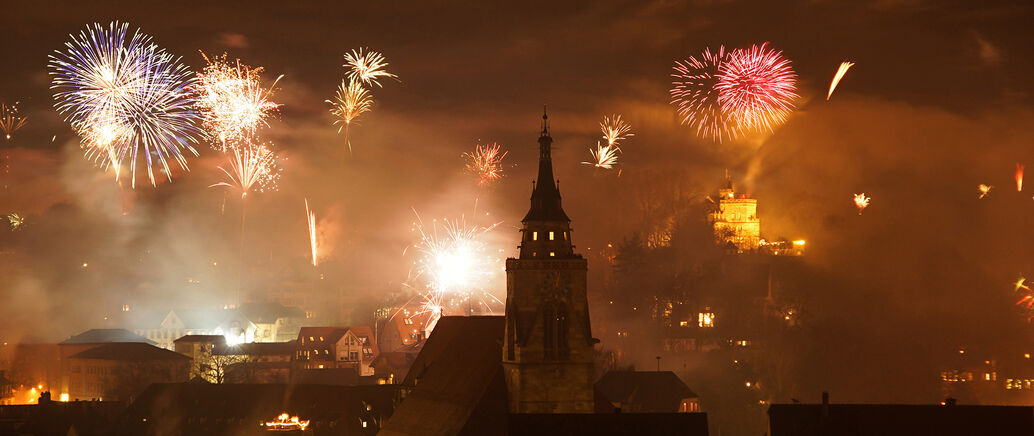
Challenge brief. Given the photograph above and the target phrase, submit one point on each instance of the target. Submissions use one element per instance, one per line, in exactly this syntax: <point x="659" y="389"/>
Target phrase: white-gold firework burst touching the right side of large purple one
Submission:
<point x="233" y="102"/>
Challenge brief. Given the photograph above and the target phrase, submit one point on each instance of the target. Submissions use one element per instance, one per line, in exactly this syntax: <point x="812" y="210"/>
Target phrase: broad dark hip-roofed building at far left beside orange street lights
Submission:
<point x="118" y="371"/>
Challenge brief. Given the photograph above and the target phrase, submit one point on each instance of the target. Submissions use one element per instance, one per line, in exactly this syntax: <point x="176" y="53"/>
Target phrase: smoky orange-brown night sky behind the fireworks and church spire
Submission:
<point x="939" y="102"/>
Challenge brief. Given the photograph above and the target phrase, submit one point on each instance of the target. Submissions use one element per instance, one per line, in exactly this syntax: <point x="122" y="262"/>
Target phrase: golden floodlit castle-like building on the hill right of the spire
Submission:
<point x="736" y="220"/>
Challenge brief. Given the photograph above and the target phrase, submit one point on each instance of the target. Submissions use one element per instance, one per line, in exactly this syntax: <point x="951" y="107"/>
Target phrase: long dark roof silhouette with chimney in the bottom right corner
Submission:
<point x="805" y="420"/>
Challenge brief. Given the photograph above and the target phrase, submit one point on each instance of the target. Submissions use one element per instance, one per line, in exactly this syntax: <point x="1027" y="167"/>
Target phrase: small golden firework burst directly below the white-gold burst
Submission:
<point x="254" y="167"/>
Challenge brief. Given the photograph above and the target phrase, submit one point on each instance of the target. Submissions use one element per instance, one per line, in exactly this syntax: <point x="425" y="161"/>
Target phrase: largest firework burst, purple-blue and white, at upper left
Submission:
<point x="105" y="78"/>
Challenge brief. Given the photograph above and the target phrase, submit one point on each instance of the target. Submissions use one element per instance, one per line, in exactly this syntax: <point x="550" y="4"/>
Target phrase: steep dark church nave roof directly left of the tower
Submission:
<point x="458" y="370"/>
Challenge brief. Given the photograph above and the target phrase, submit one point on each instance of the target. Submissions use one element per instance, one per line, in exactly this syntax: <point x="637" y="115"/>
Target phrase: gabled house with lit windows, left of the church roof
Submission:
<point x="329" y="348"/>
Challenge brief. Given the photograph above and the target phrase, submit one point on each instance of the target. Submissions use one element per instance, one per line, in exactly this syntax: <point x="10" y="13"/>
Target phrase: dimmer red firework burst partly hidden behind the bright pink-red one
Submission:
<point x="696" y="98"/>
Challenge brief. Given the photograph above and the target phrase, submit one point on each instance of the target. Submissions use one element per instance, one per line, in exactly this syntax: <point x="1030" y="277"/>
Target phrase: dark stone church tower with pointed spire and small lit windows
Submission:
<point x="548" y="353"/>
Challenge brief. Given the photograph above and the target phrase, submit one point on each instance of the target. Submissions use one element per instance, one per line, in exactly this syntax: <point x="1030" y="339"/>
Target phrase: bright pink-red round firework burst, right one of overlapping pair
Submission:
<point x="757" y="87"/>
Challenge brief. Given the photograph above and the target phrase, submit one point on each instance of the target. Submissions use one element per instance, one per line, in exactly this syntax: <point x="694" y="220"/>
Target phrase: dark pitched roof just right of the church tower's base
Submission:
<point x="645" y="391"/>
